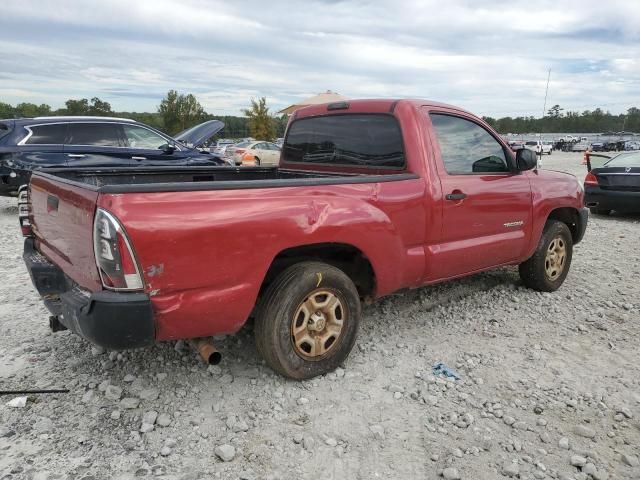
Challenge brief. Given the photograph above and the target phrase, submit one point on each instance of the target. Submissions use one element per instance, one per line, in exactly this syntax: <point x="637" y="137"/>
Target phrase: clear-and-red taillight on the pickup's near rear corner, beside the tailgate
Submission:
<point x="114" y="256"/>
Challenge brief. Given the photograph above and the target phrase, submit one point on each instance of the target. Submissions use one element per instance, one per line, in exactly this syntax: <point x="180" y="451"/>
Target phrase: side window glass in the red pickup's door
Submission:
<point x="467" y="148"/>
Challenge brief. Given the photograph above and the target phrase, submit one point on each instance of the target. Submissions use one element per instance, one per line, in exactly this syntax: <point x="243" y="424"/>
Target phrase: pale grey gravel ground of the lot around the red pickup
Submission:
<point x="547" y="380"/>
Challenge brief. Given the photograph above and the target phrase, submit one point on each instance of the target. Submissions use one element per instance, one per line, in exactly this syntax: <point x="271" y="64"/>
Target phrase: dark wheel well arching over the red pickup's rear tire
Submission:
<point x="347" y="258"/>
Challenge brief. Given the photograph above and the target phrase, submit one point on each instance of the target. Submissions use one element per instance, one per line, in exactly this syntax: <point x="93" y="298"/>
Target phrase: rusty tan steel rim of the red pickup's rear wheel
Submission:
<point x="317" y="324"/>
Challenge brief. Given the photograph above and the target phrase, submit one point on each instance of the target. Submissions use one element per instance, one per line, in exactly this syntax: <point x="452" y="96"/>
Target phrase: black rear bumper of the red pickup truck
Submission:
<point x="113" y="320"/>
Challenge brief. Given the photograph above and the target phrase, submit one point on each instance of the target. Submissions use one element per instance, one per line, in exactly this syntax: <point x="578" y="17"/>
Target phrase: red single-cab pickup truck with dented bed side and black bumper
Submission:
<point x="370" y="197"/>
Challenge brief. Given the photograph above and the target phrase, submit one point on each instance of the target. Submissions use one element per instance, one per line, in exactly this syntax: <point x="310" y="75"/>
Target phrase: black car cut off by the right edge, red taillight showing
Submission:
<point x="612" y="183"/>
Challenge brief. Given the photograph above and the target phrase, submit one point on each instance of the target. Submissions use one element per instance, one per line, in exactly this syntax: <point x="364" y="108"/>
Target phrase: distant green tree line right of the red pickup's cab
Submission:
<point x="559" y="121"/>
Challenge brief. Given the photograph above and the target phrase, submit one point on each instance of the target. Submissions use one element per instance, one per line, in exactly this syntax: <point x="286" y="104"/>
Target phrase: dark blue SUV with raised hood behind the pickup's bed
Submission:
<point x="32" y="143"/>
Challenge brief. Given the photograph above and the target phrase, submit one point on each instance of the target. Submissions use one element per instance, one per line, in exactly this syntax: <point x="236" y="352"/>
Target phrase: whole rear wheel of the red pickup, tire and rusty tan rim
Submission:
<point x="307" y="321"/>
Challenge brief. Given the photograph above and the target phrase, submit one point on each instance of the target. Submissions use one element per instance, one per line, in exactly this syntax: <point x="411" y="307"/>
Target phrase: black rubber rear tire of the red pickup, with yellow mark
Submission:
<point x="279" y="313"/>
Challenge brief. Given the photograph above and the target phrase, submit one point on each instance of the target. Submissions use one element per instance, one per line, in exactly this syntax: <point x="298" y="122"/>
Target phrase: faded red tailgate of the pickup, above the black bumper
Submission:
<point x="62" y="220"/>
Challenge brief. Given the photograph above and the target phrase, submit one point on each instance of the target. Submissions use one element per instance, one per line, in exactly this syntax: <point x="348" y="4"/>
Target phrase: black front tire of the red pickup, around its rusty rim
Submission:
<point x="534" y="271"/>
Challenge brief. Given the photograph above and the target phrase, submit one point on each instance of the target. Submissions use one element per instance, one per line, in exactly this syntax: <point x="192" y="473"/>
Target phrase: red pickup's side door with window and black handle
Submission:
<point x="486" y="204"/>
